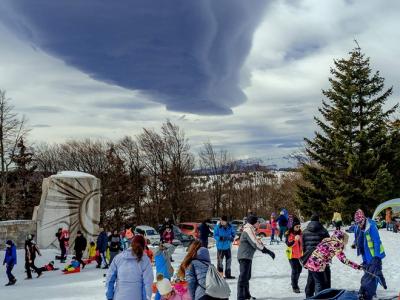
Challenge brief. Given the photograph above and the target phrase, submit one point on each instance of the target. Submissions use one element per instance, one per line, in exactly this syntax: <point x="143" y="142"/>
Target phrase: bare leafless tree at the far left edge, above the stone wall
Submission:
<point x="12" y="130"/>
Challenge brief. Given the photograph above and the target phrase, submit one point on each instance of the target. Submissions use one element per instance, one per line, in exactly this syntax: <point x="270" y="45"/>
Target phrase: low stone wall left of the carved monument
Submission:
<point x="16" y="230"/>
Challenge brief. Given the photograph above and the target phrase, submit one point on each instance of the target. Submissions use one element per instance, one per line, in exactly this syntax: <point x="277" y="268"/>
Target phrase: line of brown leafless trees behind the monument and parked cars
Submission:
<point x="143" y="178"/>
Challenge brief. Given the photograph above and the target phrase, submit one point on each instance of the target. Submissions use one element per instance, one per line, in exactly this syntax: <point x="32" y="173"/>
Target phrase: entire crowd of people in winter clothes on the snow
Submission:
<point x="130" y="261"/>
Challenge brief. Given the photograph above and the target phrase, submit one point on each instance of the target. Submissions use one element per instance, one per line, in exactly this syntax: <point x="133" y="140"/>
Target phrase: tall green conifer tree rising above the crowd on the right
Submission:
<point x="346" y="169"/>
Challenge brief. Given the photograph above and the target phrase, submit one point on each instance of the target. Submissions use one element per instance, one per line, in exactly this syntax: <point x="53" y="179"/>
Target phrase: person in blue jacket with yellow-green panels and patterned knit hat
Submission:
<point x="369" y="246"/>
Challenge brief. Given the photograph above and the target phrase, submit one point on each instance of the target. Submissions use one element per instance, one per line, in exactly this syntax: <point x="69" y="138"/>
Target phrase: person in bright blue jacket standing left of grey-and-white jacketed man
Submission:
<point x="224" y="234"/>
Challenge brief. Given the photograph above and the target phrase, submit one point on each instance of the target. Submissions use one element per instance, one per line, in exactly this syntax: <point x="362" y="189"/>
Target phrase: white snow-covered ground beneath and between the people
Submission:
<point x="271" y="279"/>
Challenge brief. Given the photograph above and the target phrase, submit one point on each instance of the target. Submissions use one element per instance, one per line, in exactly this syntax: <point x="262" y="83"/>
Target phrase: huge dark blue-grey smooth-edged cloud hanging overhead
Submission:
<point x="186" y="53"/>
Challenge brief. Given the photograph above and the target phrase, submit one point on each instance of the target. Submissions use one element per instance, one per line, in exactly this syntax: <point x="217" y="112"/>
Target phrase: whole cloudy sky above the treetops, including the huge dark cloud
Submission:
<point x="246" y="75"/>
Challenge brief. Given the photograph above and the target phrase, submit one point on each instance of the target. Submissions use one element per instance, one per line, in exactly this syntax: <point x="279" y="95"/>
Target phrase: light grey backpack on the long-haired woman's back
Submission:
<point x="216" y="285"/>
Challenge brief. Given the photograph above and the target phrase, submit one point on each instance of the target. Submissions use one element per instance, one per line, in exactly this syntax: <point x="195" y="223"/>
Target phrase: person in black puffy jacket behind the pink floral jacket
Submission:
<point x="312" y="236"/>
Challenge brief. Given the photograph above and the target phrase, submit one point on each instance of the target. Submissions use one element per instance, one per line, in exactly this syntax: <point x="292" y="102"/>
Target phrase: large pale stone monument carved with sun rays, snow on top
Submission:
<point x="70" y="200"/>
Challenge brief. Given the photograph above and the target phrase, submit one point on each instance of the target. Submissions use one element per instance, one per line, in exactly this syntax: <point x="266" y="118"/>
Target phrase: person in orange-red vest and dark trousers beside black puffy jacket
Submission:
<point x="294" y="251"/>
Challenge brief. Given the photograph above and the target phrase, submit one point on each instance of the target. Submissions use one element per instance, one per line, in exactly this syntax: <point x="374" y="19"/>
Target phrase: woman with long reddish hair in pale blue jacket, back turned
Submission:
<point x="130" y="275"/>
